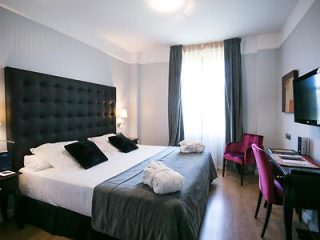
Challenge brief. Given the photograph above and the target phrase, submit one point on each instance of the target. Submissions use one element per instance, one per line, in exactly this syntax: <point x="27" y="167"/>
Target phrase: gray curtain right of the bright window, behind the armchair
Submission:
<point x="233" y="90"/>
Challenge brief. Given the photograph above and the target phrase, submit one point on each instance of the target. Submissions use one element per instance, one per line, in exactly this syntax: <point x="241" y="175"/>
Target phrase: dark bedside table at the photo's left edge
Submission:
<point x="9" y="185"/>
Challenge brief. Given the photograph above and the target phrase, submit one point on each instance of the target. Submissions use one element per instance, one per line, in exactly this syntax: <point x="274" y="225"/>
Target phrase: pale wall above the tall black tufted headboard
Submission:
<point x="28" y="45"/>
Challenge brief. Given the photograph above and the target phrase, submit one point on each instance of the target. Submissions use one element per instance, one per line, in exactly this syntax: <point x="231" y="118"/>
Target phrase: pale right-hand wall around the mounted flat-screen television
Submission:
<point x="300" y="51"/>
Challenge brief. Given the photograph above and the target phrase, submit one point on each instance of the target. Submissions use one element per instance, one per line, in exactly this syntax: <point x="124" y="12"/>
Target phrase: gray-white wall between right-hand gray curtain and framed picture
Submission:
<point x="260" y="95"/>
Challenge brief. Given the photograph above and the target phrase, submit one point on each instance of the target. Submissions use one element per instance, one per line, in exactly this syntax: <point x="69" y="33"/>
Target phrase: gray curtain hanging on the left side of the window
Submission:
<point x="176" y="133"/>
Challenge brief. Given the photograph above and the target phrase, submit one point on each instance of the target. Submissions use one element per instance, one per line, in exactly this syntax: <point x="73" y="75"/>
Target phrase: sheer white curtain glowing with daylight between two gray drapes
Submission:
<point x="203" y="99"/>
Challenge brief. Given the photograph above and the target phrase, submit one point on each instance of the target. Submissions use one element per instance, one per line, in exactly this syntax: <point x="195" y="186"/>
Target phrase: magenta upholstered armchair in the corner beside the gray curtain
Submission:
<point x="241" y="152"/>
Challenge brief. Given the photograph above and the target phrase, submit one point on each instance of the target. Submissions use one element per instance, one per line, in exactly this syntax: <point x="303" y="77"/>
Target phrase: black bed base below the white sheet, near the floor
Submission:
<point x="58" y="221"/>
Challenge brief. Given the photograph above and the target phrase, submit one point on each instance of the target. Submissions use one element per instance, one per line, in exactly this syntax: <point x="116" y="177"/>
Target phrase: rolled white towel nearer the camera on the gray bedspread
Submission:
<point x="161" y="178"/>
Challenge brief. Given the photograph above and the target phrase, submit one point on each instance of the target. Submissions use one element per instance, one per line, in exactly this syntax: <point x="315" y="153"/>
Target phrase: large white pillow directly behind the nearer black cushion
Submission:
<point x="56" y="155"/>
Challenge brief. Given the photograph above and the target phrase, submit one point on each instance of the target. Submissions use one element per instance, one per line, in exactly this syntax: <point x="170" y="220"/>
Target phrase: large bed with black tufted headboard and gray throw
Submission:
<point x="42" y="108"/>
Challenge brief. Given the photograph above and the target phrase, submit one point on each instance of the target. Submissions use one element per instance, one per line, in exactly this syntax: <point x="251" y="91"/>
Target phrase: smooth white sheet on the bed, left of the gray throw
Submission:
<point x="73" y="189"/>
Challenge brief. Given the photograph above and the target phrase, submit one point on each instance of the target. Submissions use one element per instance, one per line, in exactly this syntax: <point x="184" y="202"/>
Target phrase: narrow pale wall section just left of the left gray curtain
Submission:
<point x="153" y="124"/>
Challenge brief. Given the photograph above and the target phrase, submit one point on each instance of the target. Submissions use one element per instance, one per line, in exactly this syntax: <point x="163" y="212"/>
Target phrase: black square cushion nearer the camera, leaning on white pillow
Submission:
<point x="86" y="153"/>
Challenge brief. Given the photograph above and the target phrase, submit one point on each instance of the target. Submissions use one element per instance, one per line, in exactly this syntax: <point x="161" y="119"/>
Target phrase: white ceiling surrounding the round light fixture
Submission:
<point x="132" y="26"/>
